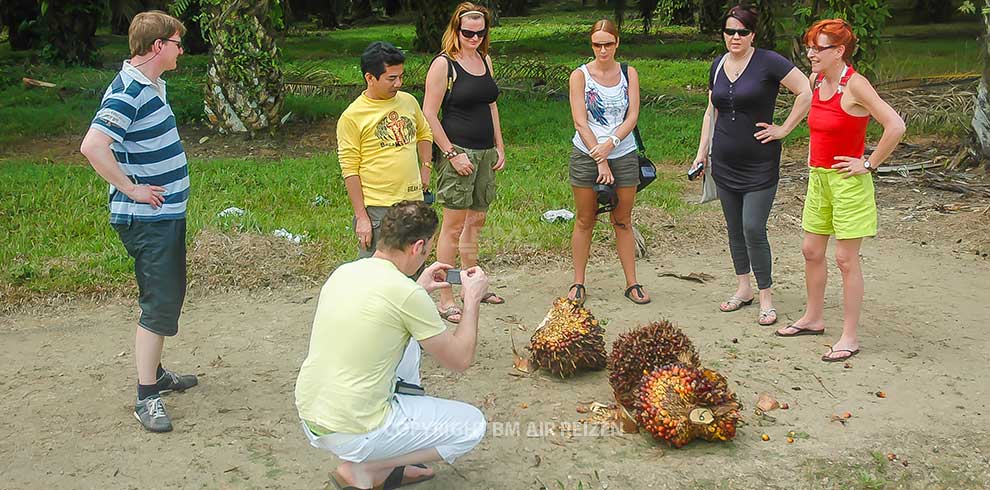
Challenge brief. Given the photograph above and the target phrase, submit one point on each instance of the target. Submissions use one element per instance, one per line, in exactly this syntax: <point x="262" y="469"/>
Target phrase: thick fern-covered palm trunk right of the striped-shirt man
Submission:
<point x="244" y="81"/>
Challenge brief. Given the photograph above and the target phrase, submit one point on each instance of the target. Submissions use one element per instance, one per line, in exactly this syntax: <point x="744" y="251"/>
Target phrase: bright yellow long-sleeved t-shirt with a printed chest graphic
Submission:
<point x="376" y="140"/>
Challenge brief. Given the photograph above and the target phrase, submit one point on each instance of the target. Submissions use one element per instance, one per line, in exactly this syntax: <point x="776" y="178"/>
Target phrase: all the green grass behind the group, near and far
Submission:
<point x="48" y="252"/>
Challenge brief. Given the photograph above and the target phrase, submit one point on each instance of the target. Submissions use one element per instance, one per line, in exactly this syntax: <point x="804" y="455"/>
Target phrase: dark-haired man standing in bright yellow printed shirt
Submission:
<point x="381" y="139"/>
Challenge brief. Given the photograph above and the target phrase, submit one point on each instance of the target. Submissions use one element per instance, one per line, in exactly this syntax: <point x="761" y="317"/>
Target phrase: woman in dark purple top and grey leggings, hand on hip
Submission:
<point x="745" y="151"/>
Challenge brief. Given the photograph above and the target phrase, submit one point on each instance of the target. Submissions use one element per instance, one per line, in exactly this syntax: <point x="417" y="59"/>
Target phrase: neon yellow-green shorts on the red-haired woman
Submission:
<point x="844" y="207"/>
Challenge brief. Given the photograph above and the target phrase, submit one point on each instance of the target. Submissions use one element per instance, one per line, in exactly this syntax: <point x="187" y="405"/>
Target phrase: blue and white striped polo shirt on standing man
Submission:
<point x="146" y="145"/>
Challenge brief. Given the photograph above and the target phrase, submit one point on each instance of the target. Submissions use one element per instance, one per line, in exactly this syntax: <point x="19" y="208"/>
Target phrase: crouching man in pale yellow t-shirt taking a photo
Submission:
<point x="370" y="322"/>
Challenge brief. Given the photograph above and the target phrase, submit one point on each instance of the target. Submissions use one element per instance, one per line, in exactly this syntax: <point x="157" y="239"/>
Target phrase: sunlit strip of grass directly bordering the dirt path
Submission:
<point x="46" y="252"/>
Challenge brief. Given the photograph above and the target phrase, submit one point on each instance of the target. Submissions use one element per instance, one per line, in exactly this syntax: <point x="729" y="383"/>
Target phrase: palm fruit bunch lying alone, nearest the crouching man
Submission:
<point x="568" y="339"/>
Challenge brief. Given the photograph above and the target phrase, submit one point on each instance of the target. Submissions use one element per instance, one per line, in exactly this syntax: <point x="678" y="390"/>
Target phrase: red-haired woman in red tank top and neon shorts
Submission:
<point x="840" y="199"/>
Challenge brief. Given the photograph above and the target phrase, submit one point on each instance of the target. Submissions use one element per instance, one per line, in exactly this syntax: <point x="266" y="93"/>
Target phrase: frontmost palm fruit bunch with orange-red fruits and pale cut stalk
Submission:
<point x="679" y="403"/>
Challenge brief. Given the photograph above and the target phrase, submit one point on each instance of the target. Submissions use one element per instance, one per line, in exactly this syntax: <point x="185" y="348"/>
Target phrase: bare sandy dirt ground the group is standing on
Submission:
<point x="67" y="375"/>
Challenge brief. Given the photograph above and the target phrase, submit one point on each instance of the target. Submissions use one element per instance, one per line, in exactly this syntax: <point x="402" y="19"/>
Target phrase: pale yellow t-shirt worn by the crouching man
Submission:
<point x="367" y="311"/>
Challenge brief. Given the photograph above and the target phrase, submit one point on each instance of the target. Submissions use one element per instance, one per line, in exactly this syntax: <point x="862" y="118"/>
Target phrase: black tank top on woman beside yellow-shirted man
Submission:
<point x="467" y="118"/>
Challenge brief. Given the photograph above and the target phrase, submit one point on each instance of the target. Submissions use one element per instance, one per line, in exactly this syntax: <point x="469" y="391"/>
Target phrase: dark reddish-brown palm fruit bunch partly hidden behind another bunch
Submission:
<point x="644" y="349"/>
